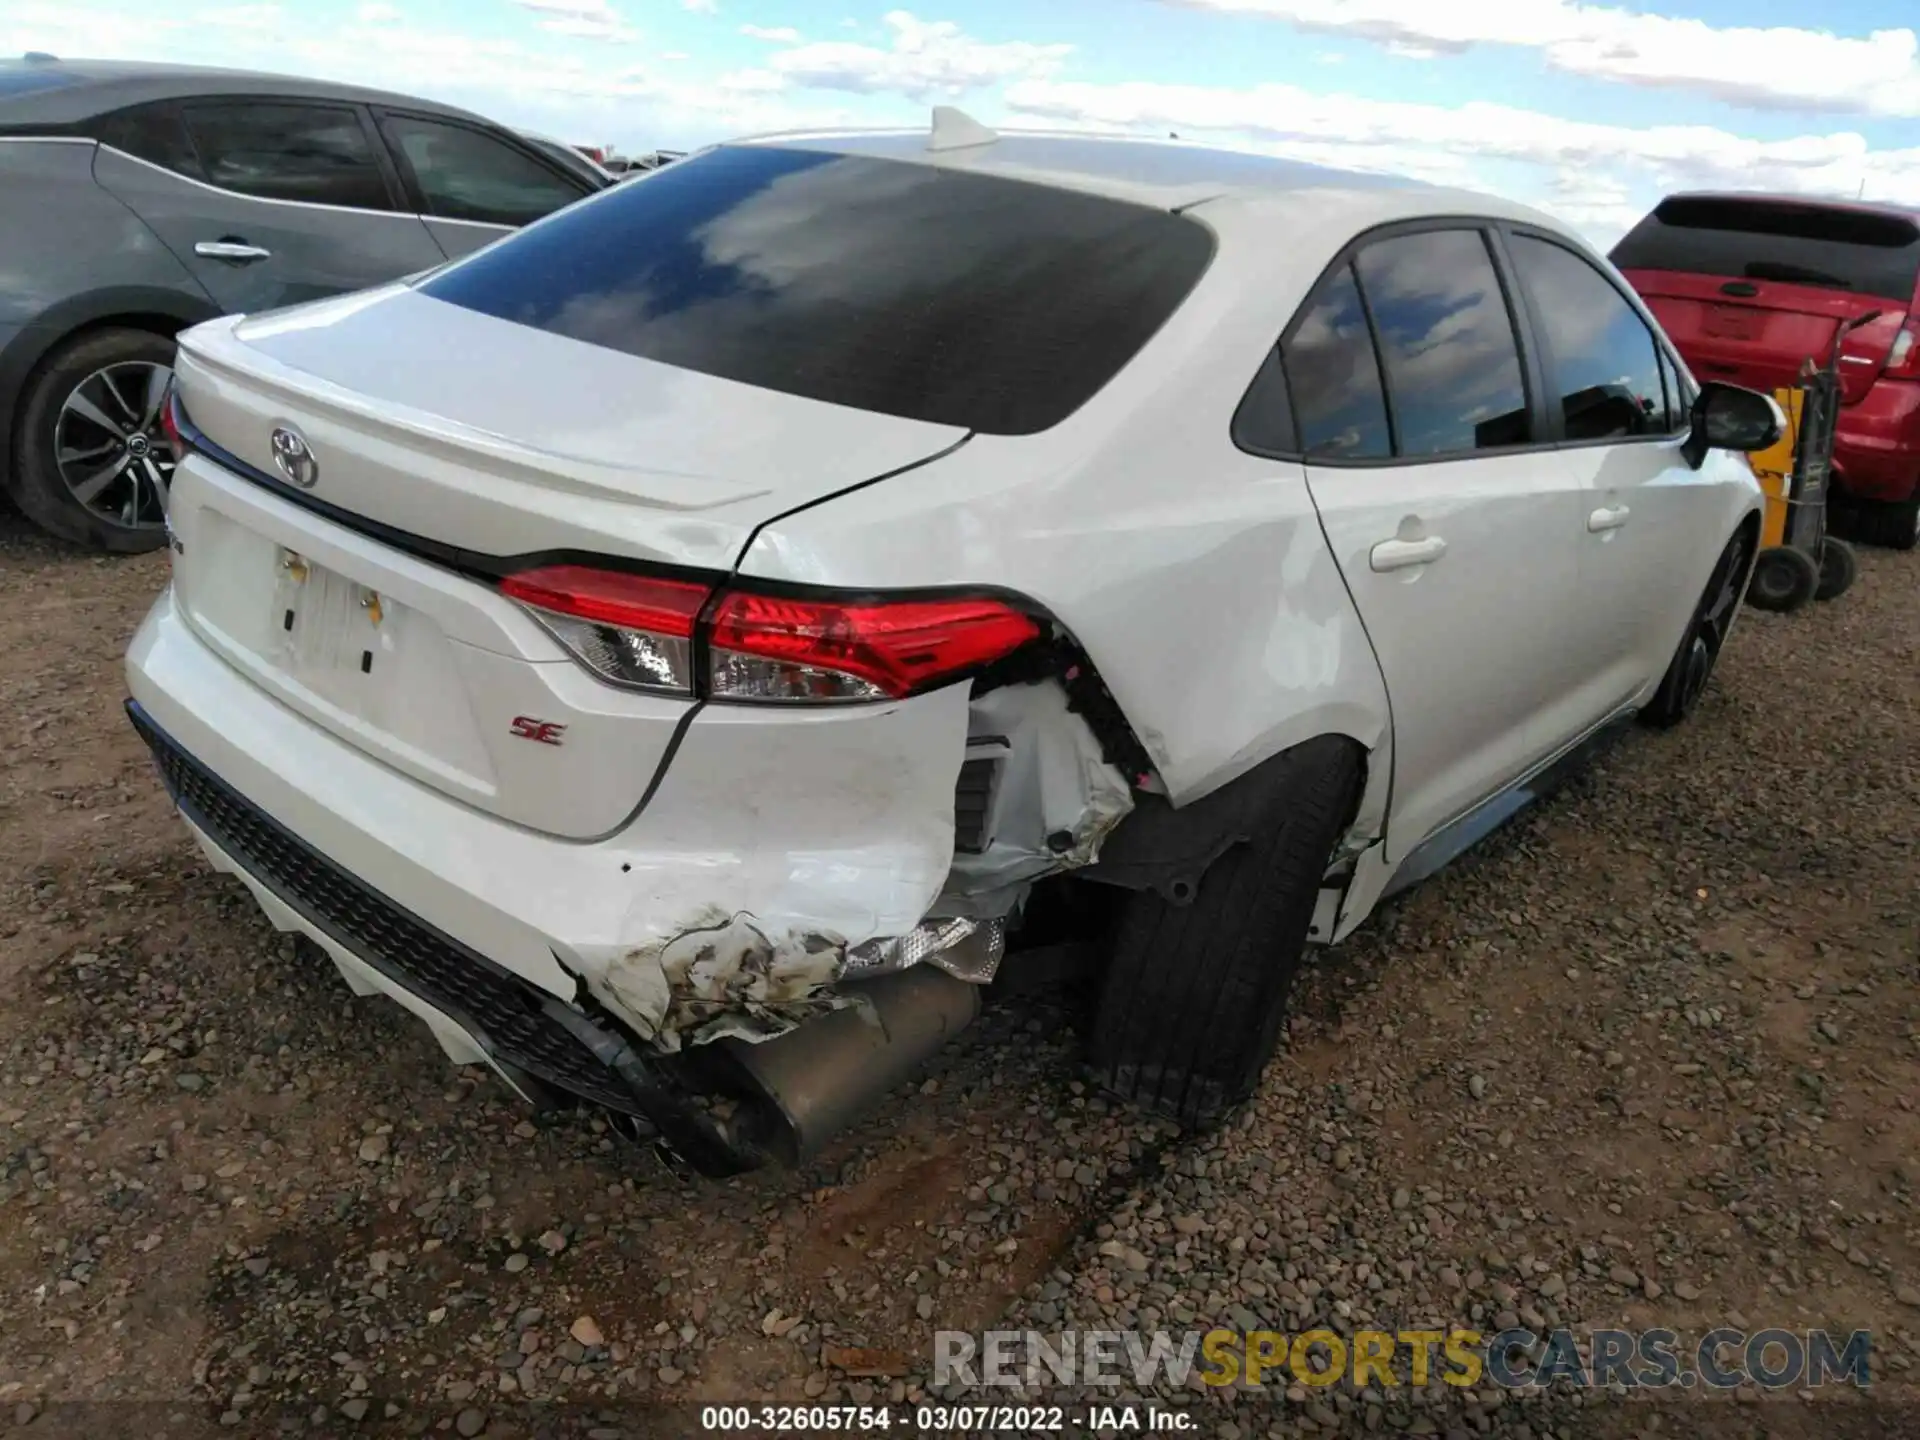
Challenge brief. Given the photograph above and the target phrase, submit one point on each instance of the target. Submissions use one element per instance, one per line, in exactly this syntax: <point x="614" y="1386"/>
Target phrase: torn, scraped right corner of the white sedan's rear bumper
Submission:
<point x="784" y="838"/>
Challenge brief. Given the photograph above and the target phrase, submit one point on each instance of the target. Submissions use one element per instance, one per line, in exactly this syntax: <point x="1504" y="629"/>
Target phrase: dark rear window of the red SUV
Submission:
<point x="1758" y="241"/>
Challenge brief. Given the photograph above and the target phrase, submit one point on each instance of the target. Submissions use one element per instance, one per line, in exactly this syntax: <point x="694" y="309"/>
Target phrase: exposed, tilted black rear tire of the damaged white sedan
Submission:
<point x="1193" y="997"/>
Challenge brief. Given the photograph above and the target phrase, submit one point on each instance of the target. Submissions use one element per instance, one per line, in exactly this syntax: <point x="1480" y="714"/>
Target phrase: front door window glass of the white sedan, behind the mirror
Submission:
<point x="1604" y="360"/>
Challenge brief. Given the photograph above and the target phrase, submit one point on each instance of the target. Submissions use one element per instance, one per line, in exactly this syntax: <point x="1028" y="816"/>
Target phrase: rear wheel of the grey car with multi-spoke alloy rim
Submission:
<point x="103" y="373"/>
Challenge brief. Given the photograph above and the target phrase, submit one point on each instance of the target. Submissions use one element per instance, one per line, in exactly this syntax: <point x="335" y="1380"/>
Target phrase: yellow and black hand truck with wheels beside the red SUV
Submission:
<point x="1800" y="560"/>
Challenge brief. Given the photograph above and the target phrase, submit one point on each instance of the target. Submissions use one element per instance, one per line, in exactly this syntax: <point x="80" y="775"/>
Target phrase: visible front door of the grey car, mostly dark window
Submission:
<point x="473" y="185"/>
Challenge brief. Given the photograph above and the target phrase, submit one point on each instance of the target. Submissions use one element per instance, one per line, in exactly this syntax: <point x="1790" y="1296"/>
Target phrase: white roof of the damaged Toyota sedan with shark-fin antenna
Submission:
<point x="1163" y="174"/>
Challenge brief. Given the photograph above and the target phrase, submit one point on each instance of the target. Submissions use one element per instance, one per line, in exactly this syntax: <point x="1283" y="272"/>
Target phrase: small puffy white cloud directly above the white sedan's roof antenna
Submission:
<point x="926" y="59"/>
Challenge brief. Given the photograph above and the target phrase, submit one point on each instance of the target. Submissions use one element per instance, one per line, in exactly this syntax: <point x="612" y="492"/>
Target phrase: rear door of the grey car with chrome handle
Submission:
<point x="268" y="203"/>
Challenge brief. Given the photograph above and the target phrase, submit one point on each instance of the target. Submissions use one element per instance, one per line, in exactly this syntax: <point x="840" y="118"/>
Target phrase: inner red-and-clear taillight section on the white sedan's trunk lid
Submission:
<point x="627" y="629"/>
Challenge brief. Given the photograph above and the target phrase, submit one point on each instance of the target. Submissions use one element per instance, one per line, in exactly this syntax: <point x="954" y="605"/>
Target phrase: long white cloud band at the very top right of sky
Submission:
<point x="1771" y="68"/>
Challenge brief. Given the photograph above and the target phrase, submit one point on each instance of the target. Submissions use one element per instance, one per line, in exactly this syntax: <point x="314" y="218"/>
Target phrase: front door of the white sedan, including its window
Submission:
<point x="1652" y="527"/>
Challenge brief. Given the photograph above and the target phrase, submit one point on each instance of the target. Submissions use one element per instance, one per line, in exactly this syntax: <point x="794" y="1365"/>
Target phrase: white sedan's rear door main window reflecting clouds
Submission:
<point x="1452" y="364"/>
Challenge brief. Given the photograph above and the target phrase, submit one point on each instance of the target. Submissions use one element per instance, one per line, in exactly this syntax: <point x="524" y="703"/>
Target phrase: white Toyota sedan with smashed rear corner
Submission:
<point x="686" y="648"/>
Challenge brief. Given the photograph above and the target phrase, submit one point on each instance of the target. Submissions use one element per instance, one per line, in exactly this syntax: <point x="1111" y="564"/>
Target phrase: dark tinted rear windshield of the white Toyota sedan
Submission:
<point x="884" y="285"/>
